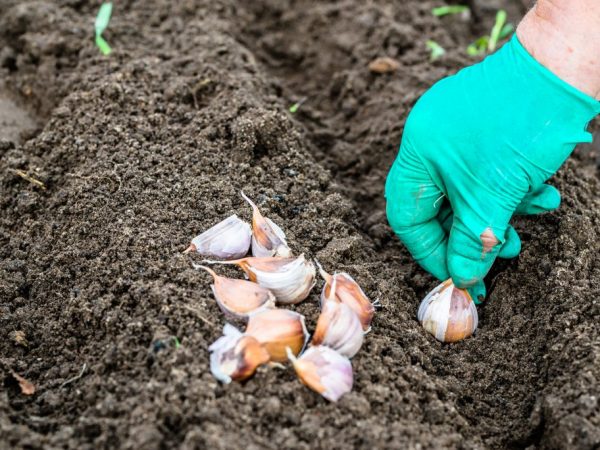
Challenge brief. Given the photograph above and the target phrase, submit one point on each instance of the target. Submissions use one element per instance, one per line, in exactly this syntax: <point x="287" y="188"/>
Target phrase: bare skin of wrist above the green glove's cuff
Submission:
<point x="564" y="36"/>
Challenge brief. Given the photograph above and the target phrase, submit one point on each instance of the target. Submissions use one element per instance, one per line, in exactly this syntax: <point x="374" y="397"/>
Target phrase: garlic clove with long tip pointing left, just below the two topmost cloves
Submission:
<point x="290" y="279"/>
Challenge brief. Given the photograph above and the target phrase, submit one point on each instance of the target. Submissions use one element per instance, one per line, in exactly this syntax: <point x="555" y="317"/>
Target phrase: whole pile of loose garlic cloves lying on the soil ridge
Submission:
<point x="276" y="335"/>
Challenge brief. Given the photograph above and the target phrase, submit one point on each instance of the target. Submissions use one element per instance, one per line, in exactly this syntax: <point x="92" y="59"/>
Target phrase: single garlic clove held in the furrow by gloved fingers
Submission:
<point x="448" y="313"/>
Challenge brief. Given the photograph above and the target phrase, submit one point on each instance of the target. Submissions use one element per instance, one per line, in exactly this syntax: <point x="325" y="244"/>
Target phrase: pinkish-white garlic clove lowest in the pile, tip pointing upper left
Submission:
<point x="324" y="371"/>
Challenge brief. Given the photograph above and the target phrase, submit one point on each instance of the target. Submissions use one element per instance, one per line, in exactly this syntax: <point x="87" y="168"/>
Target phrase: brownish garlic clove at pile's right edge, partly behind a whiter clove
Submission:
<point x="347" y="291"/>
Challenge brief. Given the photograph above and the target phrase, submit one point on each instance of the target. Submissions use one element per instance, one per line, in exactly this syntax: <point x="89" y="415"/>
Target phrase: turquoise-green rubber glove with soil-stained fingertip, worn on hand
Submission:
<point x="482" y="142"/>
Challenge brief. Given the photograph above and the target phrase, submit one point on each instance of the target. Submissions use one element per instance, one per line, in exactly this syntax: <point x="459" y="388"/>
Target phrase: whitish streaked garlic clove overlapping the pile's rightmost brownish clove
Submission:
<point x="339" y="328"/>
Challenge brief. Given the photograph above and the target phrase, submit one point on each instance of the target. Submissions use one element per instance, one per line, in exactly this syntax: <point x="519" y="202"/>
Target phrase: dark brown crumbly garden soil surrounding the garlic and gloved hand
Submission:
<point x="141" y="150"/>
